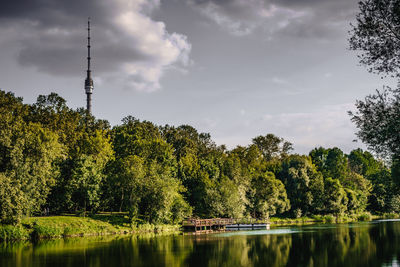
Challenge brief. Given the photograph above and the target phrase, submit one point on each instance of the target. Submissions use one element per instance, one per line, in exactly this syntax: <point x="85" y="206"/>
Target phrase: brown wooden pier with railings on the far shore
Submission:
<point x="222" y="224"/>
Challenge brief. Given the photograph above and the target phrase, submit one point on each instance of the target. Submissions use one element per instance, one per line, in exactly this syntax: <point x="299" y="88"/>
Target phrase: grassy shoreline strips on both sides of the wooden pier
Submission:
<point x="69" y="226"/>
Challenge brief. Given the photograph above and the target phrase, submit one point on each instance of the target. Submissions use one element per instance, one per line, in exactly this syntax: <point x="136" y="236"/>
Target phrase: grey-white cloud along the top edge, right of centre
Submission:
<point x="308" y="18"/>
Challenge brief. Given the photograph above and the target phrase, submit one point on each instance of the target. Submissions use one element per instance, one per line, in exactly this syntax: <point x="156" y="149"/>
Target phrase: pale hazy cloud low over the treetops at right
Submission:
<point x="328" y="126"/>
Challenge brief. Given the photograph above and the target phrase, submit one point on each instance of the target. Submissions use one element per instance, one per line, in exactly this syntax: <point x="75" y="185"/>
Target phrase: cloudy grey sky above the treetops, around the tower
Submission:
<point x="233" y="68"/>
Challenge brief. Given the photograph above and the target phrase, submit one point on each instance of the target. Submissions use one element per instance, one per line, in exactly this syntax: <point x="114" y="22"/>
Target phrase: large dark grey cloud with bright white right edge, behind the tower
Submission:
<point x="126" y="41"/>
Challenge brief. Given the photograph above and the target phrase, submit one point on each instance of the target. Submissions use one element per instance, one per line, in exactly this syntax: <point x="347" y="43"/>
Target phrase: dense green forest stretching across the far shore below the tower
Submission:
<point x="57" y="160"/>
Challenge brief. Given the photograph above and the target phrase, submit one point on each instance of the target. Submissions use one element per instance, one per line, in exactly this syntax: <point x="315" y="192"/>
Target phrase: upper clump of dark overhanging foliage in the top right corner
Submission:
<point x="377" y="34"/>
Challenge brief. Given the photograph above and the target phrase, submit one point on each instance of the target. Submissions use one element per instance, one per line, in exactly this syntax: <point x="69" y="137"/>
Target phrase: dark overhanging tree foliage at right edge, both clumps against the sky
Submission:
<point x="377" y="34"/>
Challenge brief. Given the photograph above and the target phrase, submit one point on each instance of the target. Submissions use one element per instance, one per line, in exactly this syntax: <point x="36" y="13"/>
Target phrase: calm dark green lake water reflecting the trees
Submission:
<point x="359" y="244"/>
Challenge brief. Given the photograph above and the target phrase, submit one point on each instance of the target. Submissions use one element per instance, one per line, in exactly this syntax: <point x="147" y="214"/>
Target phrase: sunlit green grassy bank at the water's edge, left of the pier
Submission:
<point x="69" y="226"/>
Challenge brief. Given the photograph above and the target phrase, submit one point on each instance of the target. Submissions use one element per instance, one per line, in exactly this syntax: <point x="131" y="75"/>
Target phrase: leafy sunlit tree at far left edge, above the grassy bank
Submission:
<point x="29" y="171"/>
